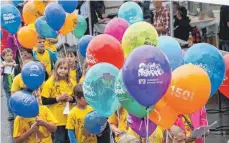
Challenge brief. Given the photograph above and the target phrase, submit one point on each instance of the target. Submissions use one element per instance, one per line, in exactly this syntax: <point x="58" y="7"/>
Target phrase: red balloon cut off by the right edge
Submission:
<point x="224" y="88"/>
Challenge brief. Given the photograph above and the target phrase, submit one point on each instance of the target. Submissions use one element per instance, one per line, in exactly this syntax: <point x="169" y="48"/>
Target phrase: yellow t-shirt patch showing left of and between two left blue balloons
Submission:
<point x="17" y="84"/>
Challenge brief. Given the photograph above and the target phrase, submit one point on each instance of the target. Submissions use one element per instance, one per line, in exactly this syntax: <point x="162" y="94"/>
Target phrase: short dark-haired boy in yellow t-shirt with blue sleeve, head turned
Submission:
<point x="75" y="123"/>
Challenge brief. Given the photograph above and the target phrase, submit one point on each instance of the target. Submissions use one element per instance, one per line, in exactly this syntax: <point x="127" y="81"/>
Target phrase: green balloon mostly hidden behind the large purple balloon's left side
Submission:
<point x="127" y="101"/>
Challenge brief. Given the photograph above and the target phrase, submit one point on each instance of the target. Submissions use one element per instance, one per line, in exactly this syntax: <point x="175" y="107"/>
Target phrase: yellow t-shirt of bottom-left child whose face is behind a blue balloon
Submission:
<point x="21" y="125"/>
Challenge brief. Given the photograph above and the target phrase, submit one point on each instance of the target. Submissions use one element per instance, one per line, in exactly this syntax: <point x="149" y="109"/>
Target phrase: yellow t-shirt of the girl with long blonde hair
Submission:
<point x="53" y="89"/>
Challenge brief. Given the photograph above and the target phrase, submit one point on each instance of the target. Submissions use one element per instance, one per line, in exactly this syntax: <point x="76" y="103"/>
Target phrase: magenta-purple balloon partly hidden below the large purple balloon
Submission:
<point x="139" y="125"/>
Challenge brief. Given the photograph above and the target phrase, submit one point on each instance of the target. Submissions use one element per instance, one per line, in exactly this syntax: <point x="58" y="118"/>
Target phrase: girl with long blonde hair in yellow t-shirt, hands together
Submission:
<point x="57" y="92"/>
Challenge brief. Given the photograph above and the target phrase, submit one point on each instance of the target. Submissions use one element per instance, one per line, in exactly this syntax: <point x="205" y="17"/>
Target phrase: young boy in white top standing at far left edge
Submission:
<point x="8" y="66"/>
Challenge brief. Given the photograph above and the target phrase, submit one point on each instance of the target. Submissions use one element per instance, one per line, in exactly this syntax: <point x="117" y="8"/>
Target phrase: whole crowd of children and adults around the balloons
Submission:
<point x="63" y="85"/>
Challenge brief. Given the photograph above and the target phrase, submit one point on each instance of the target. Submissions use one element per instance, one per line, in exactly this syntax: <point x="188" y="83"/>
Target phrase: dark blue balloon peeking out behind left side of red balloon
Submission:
<point x="83" y="44"/>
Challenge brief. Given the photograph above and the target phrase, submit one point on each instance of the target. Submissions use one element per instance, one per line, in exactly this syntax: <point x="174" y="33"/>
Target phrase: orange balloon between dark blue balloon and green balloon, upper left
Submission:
<point x="69" y="24"/>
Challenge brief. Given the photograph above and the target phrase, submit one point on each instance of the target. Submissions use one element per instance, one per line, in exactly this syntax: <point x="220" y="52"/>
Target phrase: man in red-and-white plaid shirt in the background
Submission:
<point x="161" y="20"/>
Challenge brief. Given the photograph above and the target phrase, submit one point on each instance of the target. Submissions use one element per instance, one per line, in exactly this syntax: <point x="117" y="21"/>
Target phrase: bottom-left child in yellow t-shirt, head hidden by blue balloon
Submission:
<point x="37" y="129"/>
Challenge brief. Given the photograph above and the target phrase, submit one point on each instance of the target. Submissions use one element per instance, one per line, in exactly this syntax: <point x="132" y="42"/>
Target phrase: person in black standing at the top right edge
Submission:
<point x="224" y="28"/>
